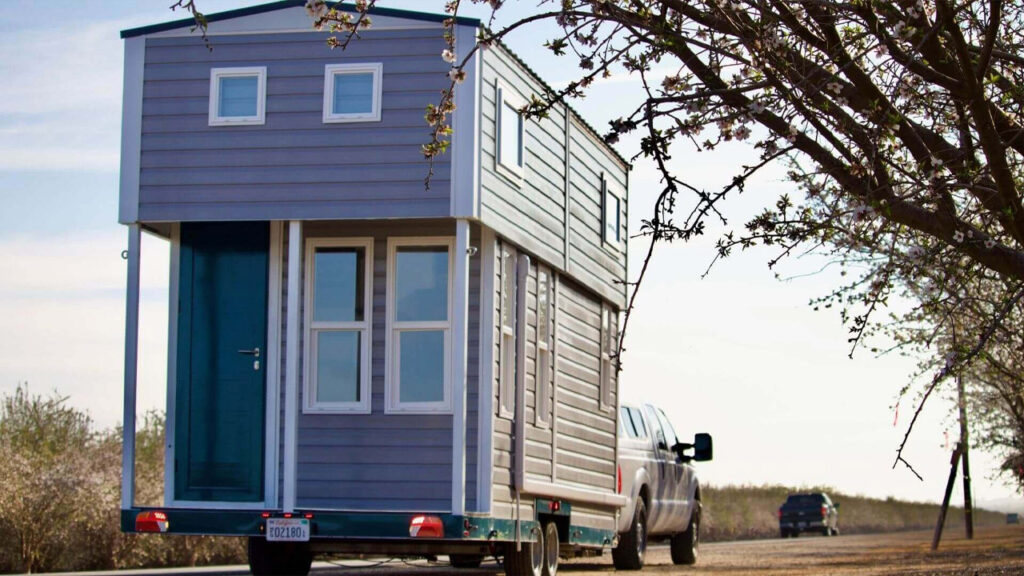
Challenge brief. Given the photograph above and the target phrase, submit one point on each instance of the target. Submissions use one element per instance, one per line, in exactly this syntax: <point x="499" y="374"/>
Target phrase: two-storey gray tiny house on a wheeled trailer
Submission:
<point x="356" y="363"/>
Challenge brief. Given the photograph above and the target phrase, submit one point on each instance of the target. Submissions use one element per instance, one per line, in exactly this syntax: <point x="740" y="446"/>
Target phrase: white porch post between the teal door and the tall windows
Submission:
<point x="292" y="366"/>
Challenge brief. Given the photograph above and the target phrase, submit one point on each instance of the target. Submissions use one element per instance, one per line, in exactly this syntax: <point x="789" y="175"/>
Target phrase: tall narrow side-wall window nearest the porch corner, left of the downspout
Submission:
<point x="506" y="348"/>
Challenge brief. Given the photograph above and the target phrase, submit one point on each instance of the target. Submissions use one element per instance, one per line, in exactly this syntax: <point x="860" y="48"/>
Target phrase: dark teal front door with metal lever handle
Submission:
<point x="221" y="396"/>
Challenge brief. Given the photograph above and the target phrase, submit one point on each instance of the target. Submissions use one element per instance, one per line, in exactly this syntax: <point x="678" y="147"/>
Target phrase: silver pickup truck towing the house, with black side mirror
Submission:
<point x="661" y="485"/>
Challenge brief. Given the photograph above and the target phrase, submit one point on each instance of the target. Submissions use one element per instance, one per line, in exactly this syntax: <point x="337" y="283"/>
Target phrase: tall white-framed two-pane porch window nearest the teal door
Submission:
<point x="338" y="310"/>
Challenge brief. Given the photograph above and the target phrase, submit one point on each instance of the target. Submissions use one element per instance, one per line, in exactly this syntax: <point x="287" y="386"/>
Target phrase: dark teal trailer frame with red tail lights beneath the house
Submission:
<point x="348" y="531"/>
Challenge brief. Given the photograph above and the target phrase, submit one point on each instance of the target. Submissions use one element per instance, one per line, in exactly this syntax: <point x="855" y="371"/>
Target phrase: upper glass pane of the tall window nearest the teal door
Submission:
<point x="338" y="285"/>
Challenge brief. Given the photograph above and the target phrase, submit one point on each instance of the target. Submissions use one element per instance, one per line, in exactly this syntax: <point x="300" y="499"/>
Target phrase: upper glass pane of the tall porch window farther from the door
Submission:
<point x="421" y="284"/>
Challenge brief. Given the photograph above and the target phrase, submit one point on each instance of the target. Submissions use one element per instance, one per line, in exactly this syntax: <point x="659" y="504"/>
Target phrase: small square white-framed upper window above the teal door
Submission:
<point x="238" y="96"/>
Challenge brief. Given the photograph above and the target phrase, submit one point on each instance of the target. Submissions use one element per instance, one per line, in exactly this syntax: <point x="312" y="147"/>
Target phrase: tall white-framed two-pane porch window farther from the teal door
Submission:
<point x="419" y="325"/>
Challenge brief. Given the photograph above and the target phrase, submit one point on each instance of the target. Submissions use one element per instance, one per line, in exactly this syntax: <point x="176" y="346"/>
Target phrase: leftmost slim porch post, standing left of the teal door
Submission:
<point x="132" y="369"/>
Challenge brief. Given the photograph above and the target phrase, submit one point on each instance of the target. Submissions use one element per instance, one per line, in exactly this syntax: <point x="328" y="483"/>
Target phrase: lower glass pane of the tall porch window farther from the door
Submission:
<point x="421" y="366"/>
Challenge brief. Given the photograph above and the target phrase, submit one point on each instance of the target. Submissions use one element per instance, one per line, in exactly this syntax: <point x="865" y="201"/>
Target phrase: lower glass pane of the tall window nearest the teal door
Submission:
<point x="338" y="366"/>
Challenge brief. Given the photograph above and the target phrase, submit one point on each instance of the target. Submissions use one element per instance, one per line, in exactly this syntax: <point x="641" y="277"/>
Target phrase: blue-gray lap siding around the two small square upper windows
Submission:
<point x="294" y="167"/>
